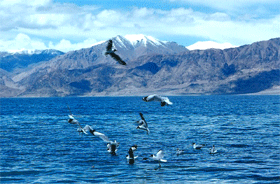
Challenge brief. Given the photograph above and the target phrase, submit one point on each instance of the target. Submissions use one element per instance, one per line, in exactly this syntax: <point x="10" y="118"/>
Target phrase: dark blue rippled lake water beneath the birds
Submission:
<point x="39" y="146"/>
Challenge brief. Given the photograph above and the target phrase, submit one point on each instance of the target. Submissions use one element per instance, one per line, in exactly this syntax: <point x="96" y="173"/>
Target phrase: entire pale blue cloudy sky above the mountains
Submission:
<point x="75" y="24"/>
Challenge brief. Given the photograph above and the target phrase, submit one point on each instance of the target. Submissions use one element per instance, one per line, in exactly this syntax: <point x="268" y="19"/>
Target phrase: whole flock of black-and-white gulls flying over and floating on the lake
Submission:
<point x="142" y="123"/>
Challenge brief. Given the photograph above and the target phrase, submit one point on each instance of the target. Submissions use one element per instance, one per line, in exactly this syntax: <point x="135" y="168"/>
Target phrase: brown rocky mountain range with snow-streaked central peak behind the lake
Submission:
<point x="153" y="66"/>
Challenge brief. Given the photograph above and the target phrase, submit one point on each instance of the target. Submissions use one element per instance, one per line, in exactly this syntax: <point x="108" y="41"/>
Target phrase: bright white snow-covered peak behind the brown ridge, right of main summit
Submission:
<point x="209" y="45"/>
